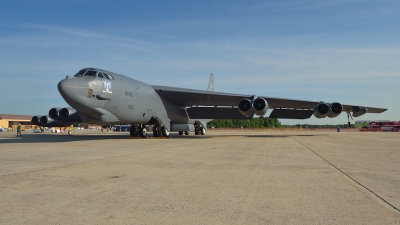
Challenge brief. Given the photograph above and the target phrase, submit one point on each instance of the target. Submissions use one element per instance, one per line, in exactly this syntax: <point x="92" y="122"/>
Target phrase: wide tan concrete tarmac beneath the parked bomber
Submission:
<point x="238" y="177"/>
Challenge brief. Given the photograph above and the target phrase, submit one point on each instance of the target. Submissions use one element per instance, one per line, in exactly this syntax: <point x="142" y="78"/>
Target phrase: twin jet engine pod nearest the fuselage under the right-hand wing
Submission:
<point x="248" y="108"/>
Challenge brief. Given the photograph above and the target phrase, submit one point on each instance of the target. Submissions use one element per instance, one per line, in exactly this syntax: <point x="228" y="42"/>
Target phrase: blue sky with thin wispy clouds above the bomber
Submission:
<point x="333" y="50"/>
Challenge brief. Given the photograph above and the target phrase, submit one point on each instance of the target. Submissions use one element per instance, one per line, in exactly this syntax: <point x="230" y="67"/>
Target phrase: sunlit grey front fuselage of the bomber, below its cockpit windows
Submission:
<point x="121" y="99"/>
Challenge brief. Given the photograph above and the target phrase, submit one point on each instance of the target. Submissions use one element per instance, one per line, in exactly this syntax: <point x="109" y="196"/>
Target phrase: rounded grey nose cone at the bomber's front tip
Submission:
<point x="73" y="88"/>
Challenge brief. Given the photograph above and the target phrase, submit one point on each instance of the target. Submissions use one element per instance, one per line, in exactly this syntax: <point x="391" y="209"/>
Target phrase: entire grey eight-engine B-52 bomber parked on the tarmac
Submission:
<point x="106" y="98"/>
